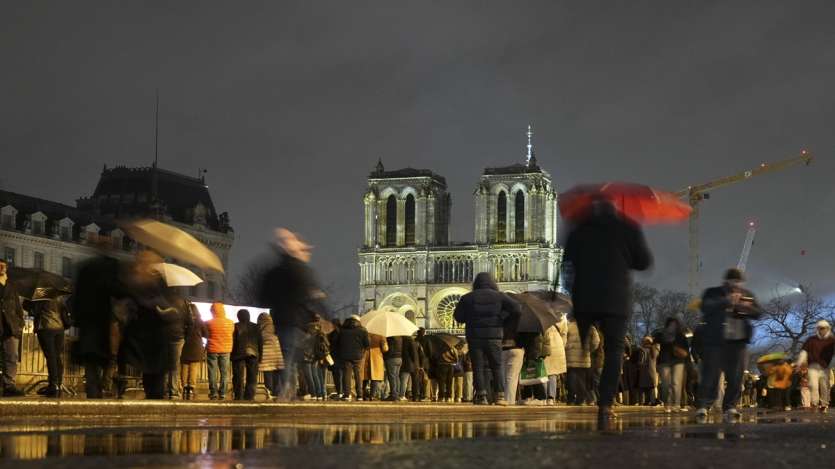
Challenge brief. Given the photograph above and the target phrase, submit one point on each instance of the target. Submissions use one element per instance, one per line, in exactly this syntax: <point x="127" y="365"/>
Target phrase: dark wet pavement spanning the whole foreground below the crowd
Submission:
<point x="403" y="436"/>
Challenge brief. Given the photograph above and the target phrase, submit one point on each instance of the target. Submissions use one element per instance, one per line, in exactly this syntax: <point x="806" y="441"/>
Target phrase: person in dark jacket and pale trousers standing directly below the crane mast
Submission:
<point x="672" y="357"/>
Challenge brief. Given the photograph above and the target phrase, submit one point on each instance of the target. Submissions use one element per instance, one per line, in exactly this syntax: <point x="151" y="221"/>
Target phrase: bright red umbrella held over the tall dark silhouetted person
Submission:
<point x="642" y="204"/>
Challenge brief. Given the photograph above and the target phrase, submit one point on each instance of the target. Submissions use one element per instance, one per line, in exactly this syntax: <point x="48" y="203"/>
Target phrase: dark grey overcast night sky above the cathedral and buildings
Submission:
<point x="290" y="104"/>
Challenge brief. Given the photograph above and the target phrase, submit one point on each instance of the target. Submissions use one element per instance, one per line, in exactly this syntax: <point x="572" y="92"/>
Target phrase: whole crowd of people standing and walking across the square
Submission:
<point x="130" y="322"/>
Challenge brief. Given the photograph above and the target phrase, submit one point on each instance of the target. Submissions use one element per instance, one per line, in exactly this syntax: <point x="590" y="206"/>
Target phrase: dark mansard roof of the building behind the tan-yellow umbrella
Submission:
<point x="124" y="192"/>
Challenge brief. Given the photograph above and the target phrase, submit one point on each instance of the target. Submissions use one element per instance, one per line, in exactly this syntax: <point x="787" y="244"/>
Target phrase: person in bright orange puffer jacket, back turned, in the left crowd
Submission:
<point x="218" y="348"/>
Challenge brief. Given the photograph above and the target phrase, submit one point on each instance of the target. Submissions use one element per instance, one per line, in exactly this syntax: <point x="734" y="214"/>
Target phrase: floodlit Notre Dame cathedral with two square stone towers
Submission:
<point x="408" y="262"/>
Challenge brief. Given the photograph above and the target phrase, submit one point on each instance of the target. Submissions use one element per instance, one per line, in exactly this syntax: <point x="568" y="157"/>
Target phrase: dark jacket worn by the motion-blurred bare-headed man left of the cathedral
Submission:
<point x="287" y="290"/>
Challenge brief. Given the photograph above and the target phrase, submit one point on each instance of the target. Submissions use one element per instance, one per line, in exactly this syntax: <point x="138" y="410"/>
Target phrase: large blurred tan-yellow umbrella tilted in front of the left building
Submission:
<point x="172" y="242"/>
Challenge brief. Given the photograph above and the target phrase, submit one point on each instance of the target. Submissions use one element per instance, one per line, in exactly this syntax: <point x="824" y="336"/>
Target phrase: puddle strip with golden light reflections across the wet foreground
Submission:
<point x="32" y="439"/>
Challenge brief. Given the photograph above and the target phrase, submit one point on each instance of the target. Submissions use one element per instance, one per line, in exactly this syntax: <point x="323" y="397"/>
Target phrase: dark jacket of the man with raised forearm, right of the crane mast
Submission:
<point x="717" y="310"/>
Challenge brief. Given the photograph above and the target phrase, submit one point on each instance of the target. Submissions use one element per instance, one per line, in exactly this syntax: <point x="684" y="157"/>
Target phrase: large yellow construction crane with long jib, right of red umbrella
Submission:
<point x="698" y="193"/>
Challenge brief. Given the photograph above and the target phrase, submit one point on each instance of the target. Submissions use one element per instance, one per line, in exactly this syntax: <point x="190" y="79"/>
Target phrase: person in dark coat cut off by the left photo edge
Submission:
<point x="11" y="330"/>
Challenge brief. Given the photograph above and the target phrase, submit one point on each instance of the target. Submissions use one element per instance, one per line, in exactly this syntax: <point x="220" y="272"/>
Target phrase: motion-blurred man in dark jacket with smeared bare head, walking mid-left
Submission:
<point x="290" y="291"/>
